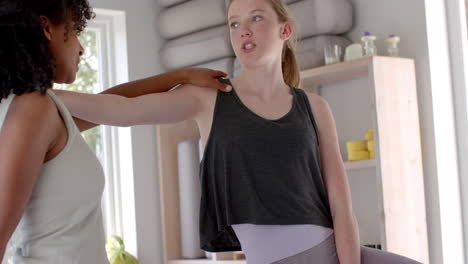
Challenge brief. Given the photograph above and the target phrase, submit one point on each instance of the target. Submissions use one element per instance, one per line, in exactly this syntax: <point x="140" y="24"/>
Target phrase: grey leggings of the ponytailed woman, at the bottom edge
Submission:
<point x="325" y="253"/>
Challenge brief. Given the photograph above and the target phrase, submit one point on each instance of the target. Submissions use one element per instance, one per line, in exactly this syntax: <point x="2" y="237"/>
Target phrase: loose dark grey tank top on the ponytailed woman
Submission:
<point x="260" y="171"/>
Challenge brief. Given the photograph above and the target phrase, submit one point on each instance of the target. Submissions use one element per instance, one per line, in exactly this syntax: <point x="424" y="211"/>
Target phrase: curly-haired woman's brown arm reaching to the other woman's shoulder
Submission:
<point x="163" y="83"/>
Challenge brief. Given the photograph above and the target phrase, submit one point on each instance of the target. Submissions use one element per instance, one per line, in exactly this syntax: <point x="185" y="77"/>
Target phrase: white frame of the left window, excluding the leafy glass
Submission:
<point x="119" y="197"/>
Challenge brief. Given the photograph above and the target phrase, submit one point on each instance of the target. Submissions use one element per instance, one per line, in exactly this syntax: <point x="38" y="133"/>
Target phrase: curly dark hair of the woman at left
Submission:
<point x="26" y="63"/>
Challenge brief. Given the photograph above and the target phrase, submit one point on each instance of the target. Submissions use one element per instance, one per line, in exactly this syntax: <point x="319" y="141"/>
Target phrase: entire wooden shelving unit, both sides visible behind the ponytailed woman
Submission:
<point x="397" y="163"/>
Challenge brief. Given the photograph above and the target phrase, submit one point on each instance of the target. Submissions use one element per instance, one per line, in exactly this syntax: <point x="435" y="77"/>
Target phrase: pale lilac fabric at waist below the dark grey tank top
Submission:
<point x="264" y="244"/>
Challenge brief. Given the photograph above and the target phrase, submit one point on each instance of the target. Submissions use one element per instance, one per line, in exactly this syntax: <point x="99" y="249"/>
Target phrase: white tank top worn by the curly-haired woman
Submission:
<point x="62" y="222"/>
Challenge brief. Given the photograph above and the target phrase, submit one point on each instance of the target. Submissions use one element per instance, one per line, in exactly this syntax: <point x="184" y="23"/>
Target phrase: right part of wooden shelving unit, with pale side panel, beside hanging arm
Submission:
<point x="398" y="162"/>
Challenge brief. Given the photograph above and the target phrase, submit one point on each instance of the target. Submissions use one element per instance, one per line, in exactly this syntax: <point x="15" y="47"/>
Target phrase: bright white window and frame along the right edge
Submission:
<point x="448" y="47"/>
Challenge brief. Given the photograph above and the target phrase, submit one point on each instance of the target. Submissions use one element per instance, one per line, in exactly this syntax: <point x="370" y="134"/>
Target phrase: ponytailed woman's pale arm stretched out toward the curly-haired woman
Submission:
<point x="177" y="105"/>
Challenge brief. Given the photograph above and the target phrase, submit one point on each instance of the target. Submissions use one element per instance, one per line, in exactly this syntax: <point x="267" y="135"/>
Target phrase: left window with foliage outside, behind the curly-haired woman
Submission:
<point x="103" y="65"/>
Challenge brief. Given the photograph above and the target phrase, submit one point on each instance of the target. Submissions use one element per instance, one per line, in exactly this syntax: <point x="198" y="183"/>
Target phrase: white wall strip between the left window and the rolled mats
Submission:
<point x="143" y="45"/>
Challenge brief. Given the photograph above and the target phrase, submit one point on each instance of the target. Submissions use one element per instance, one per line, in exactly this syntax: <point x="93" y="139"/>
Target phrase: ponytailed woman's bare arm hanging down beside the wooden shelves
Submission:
<point x="336" y="181"/>
